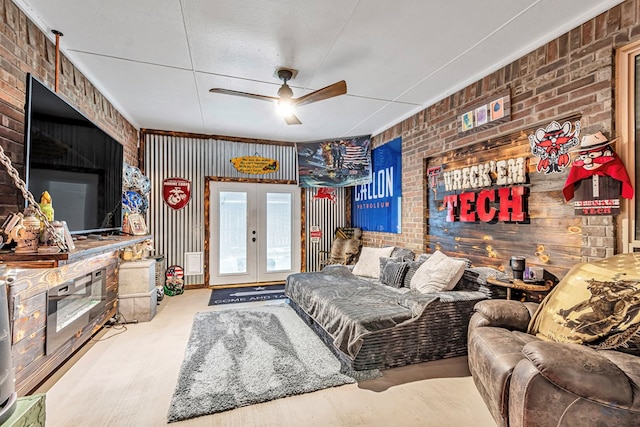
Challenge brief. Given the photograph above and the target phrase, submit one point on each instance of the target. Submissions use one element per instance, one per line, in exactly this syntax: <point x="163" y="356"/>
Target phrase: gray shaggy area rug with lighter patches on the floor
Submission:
<point x="241" y="357"/>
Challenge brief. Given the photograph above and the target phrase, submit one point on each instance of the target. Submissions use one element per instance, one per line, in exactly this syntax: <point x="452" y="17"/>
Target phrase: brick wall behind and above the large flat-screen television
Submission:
<point x="25" y="49"/>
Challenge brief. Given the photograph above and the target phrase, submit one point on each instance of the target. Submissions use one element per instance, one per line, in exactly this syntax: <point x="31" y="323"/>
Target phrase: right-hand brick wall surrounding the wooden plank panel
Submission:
<point x="571" y="74"/>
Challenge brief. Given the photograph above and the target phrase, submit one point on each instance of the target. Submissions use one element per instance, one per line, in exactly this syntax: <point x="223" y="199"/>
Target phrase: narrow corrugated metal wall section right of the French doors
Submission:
<point x="326" y="214"/>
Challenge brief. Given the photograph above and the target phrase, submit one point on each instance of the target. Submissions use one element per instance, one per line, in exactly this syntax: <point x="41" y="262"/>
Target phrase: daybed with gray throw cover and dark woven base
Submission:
<point x="370" y="325"/>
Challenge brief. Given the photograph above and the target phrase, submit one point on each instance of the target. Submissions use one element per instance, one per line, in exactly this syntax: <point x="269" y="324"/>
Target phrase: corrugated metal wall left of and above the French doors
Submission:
<point x="167" y="156"/>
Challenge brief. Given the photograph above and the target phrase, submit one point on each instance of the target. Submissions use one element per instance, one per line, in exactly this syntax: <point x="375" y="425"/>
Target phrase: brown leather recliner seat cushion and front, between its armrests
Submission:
<point x="493" y="353"/>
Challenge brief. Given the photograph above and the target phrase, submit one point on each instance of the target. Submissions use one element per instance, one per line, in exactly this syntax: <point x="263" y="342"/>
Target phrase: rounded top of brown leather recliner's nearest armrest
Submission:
<point x="582" y="371"/>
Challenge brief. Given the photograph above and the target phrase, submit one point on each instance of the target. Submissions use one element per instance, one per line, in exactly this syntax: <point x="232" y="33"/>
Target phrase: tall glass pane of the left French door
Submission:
<point x="233" y="232"/>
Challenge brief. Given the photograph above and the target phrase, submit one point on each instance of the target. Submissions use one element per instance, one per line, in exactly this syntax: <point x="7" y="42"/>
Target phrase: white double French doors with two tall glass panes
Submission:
<point x="254" y="232"/>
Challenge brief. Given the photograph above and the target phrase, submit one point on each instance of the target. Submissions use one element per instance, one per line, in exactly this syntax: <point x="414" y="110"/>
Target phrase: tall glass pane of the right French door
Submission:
<point x="279" y="231"/>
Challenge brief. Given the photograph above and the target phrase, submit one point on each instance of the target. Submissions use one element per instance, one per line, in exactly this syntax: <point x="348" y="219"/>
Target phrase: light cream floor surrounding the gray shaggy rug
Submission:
<point x="128" y="377"/>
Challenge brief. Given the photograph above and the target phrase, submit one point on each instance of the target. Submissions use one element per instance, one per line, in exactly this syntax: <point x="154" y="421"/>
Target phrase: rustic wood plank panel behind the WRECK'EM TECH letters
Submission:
<point x="550" y="236"/>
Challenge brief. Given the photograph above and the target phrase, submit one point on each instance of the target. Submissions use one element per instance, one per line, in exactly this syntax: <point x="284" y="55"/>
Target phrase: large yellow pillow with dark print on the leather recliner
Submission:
<point x="593" y="301"/>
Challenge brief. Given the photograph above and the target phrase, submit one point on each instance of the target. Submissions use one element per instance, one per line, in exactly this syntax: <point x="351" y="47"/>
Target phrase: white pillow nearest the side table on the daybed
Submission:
<point x="438" y="273"/>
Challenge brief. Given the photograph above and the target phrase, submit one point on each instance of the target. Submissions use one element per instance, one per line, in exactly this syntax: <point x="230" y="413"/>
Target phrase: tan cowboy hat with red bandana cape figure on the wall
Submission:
<point x="596" y="157"/>
